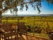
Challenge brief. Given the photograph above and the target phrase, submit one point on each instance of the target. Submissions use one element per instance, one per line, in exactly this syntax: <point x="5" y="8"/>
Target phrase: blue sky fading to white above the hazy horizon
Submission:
<point x="45" y="9"/>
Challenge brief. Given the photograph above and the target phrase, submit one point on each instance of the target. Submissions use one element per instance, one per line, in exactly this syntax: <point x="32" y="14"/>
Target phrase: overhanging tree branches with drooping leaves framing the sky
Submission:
<point x="12" y="5"/>
